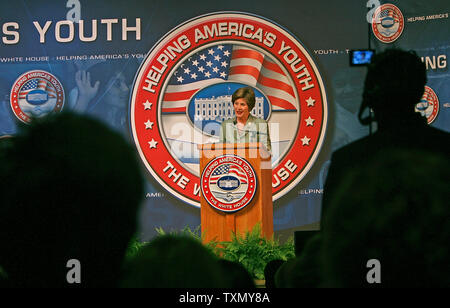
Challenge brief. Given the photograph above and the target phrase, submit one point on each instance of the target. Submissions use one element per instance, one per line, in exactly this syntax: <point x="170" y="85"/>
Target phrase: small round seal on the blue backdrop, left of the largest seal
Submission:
<point x="36" y="94"/>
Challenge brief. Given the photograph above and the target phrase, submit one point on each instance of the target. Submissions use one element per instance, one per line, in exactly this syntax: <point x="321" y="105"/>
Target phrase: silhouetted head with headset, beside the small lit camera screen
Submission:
<point x="394" y="84"/>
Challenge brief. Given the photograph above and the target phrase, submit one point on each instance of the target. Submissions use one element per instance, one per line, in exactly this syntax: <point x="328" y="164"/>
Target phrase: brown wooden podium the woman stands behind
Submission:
<point x="217" y="224"/>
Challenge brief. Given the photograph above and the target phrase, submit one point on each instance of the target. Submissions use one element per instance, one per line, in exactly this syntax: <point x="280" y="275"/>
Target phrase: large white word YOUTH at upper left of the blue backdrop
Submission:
<point x="108" y="24"/>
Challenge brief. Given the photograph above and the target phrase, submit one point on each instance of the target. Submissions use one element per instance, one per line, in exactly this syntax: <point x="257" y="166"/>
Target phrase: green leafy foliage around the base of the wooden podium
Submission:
<point x="250" y="249"/>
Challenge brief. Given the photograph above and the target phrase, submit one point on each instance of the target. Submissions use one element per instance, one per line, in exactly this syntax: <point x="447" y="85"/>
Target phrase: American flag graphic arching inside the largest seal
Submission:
<point x="232" y="63"/>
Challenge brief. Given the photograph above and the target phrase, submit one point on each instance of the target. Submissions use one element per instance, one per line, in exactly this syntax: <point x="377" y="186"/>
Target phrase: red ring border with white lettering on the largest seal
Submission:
<point x="305" y="147"/>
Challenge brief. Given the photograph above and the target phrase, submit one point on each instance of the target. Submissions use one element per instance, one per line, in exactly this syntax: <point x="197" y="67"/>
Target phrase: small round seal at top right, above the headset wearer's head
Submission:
<point x="387" y="23"/>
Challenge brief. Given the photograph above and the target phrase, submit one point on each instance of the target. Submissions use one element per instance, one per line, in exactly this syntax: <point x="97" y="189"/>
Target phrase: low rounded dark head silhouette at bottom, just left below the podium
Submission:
<point x="174" y="261"/>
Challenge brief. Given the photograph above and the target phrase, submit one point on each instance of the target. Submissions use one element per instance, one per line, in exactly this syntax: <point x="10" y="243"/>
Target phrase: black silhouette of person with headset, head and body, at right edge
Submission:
<point x="385" y="196"/>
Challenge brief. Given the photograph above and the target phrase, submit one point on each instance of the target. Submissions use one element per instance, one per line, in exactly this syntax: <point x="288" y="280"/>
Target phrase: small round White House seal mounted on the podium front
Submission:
<point x="229" y="183"/>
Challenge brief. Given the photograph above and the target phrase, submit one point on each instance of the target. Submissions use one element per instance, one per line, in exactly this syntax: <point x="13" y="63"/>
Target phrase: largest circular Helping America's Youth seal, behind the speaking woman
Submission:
<point x="183" y="89"/>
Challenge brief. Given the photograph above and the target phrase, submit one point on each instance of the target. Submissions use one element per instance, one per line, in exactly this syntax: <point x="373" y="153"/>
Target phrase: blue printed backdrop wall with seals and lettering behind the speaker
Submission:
<point x="115" y="41"/>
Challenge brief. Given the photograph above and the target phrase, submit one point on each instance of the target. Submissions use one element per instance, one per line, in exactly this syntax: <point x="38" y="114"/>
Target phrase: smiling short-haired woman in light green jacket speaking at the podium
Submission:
<point x="244" y="127"/>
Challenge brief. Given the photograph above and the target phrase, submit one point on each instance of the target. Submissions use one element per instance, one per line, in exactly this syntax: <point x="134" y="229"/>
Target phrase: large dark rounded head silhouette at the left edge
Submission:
<point x="71" y="188"/>
